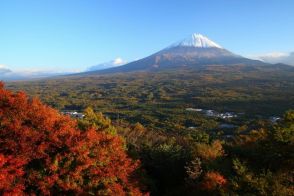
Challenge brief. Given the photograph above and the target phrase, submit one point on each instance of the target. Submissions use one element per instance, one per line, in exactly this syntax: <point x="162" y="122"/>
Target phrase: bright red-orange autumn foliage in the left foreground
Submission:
<point x="44" y="152"/>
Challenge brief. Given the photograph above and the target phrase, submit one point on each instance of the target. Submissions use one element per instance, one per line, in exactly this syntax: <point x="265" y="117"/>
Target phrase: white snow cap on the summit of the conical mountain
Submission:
<point x="198" y="41"/>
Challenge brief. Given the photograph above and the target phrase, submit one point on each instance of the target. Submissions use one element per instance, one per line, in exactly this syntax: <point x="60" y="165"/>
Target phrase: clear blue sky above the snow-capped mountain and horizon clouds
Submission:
<point x="70" y="35"/>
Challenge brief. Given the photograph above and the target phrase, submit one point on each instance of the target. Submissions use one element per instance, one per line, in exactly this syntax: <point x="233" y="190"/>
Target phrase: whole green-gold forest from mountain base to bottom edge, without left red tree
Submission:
<point x="187" y="152"/>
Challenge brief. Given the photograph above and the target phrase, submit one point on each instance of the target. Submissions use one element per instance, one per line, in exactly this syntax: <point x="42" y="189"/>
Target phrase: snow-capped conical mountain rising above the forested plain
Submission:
<point x="194" y="51"/>
